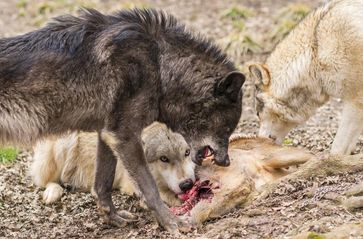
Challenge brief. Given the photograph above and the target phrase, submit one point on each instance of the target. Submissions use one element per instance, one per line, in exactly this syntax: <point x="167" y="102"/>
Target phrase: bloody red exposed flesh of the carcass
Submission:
<point x="201" y="191"/>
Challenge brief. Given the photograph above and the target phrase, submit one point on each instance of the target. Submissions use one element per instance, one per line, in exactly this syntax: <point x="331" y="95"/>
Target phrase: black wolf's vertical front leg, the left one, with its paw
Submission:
<point x="104" y="177"/>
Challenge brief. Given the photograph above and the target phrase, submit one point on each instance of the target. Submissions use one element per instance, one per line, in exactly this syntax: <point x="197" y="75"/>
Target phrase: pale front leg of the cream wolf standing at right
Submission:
<point x="349" y="130"/>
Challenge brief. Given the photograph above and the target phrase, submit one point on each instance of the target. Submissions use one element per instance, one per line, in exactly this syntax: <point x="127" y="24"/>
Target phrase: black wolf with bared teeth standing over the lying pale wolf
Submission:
<point x="117" y="74"/>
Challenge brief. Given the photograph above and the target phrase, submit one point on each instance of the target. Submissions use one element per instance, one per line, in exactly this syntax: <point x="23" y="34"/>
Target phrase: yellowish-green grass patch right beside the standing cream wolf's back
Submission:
<point x="287" y="19"/>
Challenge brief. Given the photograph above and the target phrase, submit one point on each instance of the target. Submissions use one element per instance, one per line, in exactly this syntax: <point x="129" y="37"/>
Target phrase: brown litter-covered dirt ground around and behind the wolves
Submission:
<point x="292" y="208"/>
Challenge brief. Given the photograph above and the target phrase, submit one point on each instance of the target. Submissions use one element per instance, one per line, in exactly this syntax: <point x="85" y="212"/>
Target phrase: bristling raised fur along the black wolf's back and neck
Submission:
<point x="67" y="34"/>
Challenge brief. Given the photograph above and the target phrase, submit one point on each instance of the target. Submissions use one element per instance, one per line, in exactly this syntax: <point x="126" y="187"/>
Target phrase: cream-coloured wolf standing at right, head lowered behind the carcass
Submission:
<point x="321" y="58"/>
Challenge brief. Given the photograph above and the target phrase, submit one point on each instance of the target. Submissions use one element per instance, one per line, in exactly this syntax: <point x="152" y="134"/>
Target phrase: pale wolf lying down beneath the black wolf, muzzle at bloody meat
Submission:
<point x="71" y="160"/>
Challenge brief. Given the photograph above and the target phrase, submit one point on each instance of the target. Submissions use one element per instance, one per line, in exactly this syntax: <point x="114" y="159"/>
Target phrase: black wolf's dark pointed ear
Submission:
<point x="230" y="86"/>
